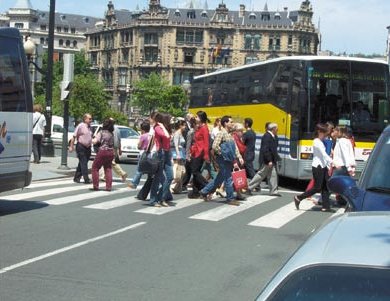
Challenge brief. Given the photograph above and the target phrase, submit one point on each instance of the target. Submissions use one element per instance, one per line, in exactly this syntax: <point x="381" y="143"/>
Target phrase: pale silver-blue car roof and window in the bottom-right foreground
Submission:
<point x="347" y="259"/>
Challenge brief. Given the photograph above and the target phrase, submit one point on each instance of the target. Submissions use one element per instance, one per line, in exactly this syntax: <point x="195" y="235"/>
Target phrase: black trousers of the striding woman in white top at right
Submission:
<point x="321" y="177"/>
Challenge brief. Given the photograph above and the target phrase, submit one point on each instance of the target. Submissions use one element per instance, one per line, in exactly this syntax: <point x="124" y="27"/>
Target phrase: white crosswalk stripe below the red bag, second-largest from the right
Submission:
<point x="224" y="211"/>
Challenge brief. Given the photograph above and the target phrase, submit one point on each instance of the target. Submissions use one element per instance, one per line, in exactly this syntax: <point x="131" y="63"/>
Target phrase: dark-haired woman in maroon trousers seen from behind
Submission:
<point x="105" y="154"/>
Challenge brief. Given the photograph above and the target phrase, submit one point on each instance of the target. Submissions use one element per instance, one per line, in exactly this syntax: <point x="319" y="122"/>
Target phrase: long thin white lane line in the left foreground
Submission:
<point x="68" y="248"/>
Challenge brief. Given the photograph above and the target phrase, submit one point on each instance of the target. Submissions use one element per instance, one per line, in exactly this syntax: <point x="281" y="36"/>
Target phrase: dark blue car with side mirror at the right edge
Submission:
<point x="372" y="192"/>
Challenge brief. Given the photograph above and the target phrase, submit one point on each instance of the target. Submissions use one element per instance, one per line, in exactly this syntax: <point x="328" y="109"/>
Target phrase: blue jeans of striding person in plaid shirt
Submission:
<point x="224" y="176"/>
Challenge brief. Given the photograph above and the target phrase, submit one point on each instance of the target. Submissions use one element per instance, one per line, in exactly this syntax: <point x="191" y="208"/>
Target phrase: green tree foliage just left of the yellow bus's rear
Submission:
<point x="155" y="94"/>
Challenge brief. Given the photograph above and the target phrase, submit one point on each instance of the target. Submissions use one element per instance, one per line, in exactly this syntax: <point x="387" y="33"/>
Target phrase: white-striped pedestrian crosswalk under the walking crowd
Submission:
<point x="64" y="191"/>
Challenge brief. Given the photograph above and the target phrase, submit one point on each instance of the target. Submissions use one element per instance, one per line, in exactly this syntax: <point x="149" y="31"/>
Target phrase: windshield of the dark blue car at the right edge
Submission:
<point x="377" y="171"/>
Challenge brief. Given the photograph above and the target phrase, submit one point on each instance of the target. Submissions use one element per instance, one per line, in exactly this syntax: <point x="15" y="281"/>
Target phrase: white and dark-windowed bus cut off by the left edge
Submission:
<point x="16" y="107"/>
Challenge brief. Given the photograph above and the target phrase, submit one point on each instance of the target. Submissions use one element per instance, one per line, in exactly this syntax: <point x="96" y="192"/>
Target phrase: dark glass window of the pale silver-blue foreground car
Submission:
<point x="335" y="283"/>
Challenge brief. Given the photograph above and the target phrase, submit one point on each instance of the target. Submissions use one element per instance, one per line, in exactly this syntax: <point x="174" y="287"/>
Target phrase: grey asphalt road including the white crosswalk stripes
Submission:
<point x="61" y="241"/>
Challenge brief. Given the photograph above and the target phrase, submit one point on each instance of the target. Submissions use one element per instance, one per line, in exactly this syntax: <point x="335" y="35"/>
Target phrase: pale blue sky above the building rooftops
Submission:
<point x="351" y="26"/>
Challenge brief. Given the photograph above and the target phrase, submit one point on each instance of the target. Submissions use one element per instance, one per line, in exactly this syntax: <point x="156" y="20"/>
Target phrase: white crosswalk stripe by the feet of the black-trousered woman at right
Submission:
<point x="278" y="218"/>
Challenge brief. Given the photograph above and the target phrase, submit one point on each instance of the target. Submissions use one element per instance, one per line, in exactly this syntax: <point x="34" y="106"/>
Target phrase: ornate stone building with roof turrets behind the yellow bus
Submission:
<point x="184" y="42"/>
